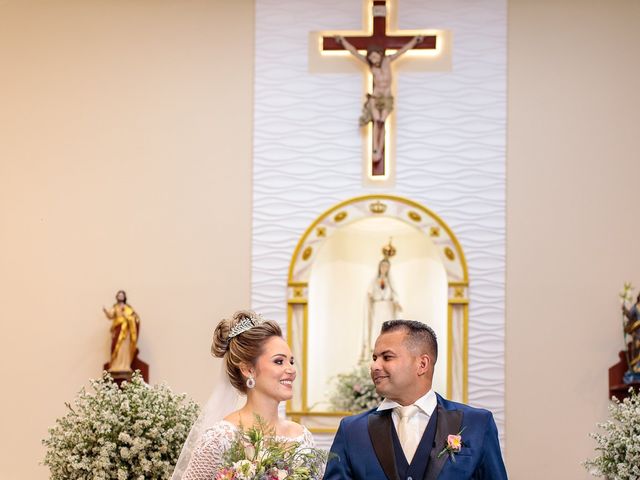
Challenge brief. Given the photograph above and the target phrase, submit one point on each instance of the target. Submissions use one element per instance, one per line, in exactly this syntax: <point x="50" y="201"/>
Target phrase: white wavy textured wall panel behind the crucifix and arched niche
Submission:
<point x="451" y="130"/>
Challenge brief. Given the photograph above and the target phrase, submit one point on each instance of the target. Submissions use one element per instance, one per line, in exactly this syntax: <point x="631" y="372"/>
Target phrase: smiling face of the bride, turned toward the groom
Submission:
<point x="275" y="370"/>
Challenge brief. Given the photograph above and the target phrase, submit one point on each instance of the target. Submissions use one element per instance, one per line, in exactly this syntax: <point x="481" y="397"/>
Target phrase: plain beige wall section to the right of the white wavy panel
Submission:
<point x="572" y="181"/>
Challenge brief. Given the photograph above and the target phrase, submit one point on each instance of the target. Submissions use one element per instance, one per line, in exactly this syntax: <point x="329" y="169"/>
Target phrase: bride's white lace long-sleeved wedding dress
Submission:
<point x="208" y="455"/>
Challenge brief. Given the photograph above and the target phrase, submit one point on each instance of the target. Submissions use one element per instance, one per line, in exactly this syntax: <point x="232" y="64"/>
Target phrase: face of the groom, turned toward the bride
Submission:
<point x="394" y="369"/>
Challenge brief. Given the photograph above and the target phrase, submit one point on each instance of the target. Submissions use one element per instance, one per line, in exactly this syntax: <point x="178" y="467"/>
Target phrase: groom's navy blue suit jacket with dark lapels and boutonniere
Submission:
<point x="363" y="446"/>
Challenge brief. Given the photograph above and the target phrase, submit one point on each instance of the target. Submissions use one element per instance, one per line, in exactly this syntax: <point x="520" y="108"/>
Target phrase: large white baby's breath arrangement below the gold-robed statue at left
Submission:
<point x="132" y="432"/>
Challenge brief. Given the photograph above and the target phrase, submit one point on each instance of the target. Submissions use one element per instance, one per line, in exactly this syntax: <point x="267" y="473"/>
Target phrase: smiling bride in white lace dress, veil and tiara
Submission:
<point x="257" y="363"/>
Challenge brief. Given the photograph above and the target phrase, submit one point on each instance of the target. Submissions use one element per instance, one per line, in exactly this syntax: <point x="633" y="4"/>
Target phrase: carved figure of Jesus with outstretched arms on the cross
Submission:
<point x="379" y="103"/>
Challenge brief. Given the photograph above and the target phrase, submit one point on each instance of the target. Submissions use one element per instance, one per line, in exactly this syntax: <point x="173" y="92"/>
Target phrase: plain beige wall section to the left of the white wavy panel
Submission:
<point x="125" y="162"/>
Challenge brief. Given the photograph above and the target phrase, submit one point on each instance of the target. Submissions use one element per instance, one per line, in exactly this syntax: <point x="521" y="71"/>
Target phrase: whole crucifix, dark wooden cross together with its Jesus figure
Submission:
<point x="378" y="104"/>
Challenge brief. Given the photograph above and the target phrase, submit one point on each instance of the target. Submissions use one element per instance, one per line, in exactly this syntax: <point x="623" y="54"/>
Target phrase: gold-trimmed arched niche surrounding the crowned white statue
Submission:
<point x="339" y="250"/>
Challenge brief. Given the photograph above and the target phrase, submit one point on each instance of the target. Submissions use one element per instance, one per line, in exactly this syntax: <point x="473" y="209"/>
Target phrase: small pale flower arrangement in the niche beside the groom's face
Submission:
<point x="354" y="391"/>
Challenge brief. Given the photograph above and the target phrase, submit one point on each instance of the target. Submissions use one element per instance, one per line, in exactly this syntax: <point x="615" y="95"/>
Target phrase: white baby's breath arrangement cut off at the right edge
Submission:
<point x="619" y="444"/>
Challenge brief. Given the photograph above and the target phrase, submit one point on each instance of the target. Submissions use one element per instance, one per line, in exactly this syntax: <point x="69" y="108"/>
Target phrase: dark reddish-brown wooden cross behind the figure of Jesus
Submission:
<point x="380" y="39"/>
